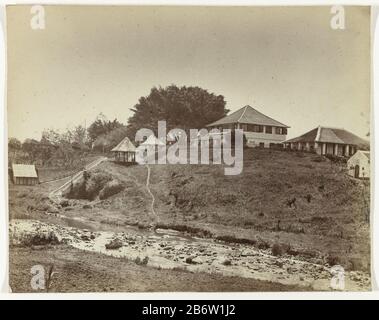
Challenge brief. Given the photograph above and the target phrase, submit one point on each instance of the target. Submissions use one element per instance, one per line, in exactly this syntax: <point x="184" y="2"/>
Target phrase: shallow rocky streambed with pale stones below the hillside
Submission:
<point x="169" y="249"/>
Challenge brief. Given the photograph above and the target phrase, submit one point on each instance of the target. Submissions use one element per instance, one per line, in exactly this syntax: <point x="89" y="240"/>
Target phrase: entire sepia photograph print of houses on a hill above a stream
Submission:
<point x="188" y="148"/>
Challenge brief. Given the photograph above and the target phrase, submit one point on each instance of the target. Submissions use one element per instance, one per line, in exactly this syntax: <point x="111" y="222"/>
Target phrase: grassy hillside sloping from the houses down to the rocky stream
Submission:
<point x="294" y="203"/>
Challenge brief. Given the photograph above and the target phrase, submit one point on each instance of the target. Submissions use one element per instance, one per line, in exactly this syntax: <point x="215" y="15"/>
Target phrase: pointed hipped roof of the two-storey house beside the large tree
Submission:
<point x="248" y="115"/>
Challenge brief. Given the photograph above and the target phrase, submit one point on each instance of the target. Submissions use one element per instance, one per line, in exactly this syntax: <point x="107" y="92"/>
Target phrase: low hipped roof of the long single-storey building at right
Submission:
<point x="330" y="135"/>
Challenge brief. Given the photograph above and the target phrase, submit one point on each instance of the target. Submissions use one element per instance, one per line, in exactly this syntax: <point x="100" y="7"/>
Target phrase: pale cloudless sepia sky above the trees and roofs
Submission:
<point x="287" y="62"/>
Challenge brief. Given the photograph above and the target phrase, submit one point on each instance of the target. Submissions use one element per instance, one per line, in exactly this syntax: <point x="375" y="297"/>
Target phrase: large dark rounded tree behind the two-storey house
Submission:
<point x="184" y="108"/>
